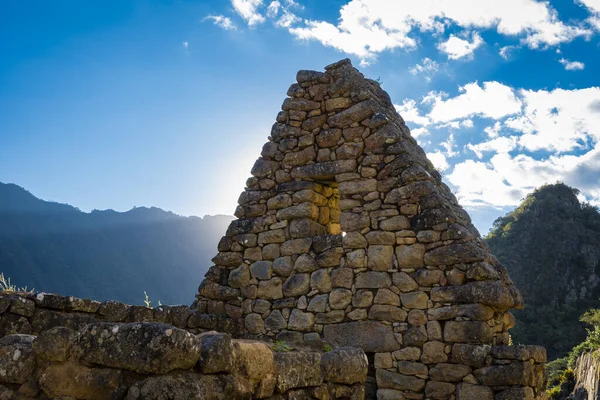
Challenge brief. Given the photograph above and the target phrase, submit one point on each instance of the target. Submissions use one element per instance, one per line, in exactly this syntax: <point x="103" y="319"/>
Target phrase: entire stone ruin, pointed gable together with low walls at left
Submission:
<point x="350" y="273"/>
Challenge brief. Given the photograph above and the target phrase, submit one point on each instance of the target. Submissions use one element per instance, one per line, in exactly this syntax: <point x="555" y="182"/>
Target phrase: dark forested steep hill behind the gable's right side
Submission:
<point x="550" y="246"/>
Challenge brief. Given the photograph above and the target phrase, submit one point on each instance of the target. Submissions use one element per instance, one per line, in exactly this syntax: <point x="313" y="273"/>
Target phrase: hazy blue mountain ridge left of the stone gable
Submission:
<point x="104" y="255"/>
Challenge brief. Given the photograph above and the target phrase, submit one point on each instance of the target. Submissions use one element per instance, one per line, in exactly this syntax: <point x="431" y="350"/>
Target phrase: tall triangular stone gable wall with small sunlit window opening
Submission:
<point x="346" y="234"/>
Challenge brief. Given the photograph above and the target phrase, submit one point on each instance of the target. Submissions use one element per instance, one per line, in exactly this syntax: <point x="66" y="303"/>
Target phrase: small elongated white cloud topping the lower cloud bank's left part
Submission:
<point x="493" y="100"/>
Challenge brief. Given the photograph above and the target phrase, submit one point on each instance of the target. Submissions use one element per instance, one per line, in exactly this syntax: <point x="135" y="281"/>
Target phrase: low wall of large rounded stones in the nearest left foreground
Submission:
<point x="147" y="361"/>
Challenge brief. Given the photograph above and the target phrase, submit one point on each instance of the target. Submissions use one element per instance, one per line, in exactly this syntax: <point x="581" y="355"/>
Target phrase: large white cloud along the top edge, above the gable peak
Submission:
<point x="368" y="27"/>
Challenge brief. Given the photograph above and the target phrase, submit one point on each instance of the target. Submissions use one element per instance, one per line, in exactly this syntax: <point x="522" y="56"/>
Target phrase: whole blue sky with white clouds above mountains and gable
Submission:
<point x="115" y="104"/>
